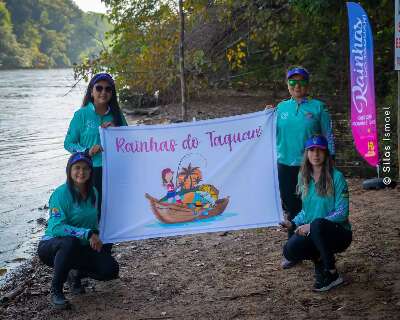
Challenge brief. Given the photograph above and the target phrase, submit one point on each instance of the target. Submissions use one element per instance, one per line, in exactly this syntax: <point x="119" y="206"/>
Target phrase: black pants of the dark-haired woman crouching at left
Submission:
<point x="66" y="253"/>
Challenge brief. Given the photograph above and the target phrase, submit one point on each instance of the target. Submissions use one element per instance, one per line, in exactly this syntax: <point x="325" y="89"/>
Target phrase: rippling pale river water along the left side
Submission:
<point x="34" y="118"/>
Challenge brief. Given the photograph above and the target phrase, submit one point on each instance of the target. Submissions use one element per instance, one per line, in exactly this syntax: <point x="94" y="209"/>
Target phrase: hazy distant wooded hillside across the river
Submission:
<point x="48" y="33"/>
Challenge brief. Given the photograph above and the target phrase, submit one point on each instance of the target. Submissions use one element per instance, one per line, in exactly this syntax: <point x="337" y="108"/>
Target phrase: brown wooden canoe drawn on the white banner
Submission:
<point x="175" y="213"/>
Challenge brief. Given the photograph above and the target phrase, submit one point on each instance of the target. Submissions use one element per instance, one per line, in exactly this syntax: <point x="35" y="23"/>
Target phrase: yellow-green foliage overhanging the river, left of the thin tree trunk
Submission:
<point x="141" y="45"/>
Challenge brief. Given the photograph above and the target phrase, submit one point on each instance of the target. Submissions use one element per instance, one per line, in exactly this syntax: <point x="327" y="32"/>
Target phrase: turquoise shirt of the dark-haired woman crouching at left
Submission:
<point x="69" y="218"/>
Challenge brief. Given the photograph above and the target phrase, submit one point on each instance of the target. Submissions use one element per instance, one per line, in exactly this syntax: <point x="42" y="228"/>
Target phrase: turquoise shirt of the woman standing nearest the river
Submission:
<point x="83" y="132"/>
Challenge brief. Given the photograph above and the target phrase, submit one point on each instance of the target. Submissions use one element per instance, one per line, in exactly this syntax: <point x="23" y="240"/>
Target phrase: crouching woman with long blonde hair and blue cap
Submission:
<point x="322" y="227"/>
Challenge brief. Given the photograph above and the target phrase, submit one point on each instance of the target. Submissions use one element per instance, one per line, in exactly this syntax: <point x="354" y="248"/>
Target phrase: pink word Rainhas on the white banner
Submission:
<point x="150" y="145"/>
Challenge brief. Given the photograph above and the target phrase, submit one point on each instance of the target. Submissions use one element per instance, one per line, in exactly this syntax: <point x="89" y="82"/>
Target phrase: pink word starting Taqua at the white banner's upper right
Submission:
<point x="230" y="139"/>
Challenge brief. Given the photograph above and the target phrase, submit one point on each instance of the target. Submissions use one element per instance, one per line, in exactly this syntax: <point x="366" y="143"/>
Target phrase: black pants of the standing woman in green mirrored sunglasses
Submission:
<point x="291" y="202"/>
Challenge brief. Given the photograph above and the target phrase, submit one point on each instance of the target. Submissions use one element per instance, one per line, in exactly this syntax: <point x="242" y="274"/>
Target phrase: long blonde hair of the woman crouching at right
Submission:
<point x="324" y="186"/>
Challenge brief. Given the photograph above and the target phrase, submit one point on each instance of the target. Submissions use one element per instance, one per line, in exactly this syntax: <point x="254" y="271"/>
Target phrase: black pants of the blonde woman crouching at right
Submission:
<point x="325" y="239"/>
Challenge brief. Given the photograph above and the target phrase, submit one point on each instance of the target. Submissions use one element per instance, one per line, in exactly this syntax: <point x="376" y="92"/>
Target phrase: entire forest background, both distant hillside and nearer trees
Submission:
<point x="244" y="45"/>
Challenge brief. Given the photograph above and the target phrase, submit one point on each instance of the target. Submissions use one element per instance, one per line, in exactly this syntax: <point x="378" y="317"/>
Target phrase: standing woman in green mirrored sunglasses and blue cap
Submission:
<point x="298" y="118"/>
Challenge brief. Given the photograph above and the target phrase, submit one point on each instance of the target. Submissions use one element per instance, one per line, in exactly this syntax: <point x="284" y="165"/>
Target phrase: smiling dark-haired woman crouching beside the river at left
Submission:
<point x="71" y="244"/>
